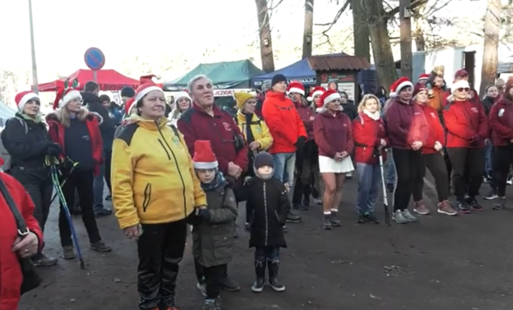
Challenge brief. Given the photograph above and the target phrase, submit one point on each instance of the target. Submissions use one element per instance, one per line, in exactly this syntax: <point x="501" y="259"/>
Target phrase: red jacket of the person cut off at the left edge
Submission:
<point x="10" y="273"/>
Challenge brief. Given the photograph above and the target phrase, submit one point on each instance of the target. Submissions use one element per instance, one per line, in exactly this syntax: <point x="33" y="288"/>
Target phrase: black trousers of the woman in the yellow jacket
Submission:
<point x="160" y="249"/>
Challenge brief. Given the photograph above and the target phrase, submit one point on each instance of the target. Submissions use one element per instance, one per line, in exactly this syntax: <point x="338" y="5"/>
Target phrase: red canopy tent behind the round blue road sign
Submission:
<point x="107" y="79"/>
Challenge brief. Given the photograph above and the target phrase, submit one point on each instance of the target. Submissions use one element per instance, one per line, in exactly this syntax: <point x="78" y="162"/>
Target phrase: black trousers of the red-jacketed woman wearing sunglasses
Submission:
<point x="467" y="170"/>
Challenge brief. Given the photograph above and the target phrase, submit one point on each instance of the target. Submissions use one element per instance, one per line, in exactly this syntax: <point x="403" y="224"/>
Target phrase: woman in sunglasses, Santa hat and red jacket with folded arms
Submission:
<point x="467" y="130"/>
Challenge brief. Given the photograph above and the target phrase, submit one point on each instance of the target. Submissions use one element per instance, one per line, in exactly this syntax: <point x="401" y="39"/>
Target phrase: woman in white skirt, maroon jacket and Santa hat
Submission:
<point x="334" y="137"/>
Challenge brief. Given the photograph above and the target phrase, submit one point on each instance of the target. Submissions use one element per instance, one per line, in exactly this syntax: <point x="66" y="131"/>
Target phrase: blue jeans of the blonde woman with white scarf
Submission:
<point x="369" y="180"/>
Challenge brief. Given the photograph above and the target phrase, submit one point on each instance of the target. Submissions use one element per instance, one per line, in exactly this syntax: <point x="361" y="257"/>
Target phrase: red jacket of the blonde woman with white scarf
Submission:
<point x="367" y="133"/>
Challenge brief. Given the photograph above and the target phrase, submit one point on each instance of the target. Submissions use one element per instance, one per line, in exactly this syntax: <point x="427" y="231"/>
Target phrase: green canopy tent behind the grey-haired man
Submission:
<point x="224" y="75"/>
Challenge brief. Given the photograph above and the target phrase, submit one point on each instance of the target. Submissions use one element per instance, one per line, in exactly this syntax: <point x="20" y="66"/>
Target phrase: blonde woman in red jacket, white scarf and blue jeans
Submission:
<point x="369" y="139"/>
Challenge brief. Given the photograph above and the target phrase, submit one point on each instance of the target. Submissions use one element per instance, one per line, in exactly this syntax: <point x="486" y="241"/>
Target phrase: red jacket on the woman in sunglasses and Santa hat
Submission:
<point x="465" y="122"/>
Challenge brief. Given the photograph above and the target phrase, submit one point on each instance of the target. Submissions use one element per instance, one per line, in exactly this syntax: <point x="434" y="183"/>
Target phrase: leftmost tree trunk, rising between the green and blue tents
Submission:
<point x="264" y="29"/>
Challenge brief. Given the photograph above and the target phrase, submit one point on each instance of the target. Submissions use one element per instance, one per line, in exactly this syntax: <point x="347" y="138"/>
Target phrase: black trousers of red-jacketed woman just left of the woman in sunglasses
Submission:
<point x="435" y="163"/>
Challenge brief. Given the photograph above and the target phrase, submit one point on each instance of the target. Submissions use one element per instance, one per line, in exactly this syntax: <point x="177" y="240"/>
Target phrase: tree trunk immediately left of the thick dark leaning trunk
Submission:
<point x="360" y="30"/>
